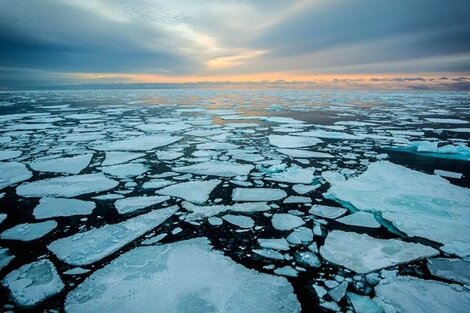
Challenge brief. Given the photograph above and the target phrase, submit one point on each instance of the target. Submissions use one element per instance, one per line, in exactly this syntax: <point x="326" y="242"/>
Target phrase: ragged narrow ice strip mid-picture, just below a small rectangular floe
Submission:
<point x="198" y="212"/>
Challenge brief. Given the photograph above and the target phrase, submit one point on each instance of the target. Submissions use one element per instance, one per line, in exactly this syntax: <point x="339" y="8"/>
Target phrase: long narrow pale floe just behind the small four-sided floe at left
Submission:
<point x="69" y="186"/>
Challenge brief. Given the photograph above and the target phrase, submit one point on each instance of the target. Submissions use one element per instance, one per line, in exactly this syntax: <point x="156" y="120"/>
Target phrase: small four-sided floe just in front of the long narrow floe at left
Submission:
<point x="53" y="207"/>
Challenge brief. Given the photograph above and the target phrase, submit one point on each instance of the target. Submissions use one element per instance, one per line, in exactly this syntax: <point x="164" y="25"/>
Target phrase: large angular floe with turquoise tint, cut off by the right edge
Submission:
<point x="415" y="203"/>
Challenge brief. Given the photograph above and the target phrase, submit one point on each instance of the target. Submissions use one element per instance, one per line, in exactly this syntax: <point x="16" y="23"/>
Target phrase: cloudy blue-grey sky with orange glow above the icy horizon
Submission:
<point x="310" y="42"/>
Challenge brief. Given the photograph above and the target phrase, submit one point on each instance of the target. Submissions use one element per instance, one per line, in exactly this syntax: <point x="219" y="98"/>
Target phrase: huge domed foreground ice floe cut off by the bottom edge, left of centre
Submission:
<point x="186" y="276"/>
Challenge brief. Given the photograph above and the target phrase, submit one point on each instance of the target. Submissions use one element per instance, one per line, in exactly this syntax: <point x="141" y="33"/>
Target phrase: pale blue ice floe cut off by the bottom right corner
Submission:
<point x="410" y="294"/>
